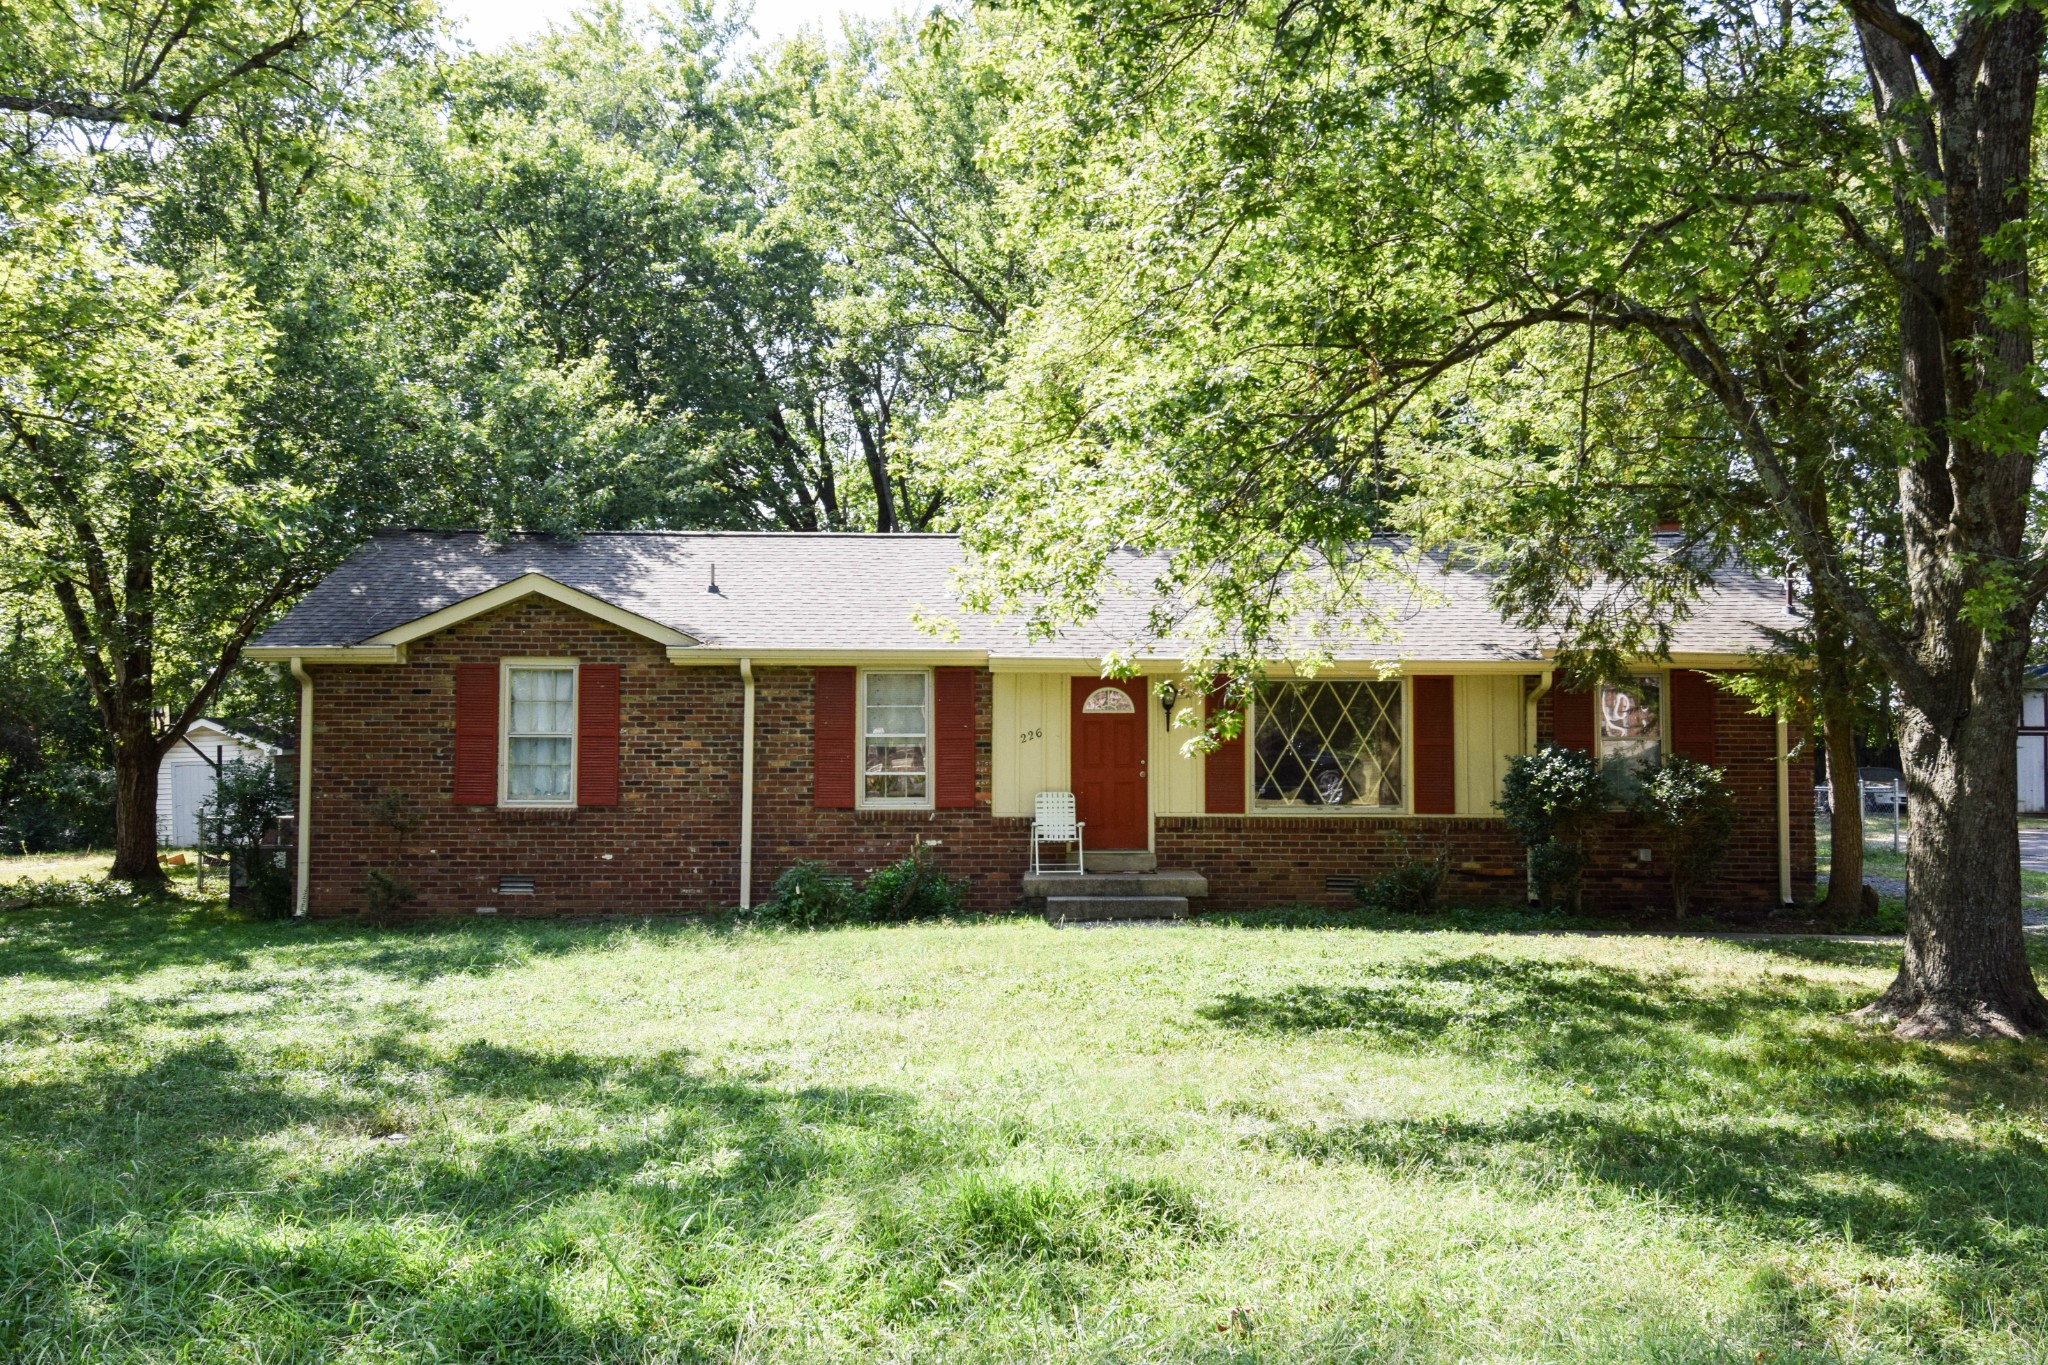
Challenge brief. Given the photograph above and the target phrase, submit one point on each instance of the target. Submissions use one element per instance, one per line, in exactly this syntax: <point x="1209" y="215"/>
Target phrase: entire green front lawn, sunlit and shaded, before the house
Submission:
<point x="992" y="1141"/>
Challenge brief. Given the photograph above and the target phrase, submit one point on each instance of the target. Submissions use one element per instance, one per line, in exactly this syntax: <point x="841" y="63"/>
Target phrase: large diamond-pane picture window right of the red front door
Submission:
<point x="1328" y="744"/>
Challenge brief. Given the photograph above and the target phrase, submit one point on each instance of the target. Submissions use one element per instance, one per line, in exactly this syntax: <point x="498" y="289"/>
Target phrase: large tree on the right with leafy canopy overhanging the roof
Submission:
<point x="1306" y="224"/>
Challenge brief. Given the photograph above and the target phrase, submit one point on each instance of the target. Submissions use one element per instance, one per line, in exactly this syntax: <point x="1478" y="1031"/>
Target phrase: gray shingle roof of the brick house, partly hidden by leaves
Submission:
<point x="853" y="592"/>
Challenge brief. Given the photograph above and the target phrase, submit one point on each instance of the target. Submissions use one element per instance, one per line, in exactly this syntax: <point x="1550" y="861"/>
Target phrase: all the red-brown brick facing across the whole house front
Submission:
<point x="384" y="748"/>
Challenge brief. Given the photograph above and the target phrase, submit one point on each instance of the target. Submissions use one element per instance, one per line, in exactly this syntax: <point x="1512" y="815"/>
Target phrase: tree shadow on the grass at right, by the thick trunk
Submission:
<point x="1748" y="1102"/>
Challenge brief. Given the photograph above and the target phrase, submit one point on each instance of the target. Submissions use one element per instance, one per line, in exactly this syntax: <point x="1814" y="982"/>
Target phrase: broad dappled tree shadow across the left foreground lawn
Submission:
<point x="382" y="1194"/>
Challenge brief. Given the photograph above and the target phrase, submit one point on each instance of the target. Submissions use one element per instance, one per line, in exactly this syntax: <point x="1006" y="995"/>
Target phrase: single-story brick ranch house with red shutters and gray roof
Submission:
<point x="665" y="721"/>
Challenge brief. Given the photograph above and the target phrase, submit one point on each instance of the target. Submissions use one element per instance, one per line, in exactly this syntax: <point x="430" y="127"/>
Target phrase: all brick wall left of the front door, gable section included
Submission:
<point x="388" y="734"/>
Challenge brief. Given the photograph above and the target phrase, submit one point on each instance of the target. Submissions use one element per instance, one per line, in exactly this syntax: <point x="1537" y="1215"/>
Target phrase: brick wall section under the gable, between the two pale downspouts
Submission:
<point x="388" y="734"/>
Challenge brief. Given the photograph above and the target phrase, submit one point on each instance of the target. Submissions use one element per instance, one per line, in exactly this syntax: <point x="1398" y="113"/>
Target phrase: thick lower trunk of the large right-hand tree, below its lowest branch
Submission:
<point x="1965" y="971"/>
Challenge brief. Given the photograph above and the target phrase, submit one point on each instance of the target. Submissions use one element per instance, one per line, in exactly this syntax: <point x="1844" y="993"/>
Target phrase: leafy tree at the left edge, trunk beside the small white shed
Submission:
<point x="136" y="492"/>
